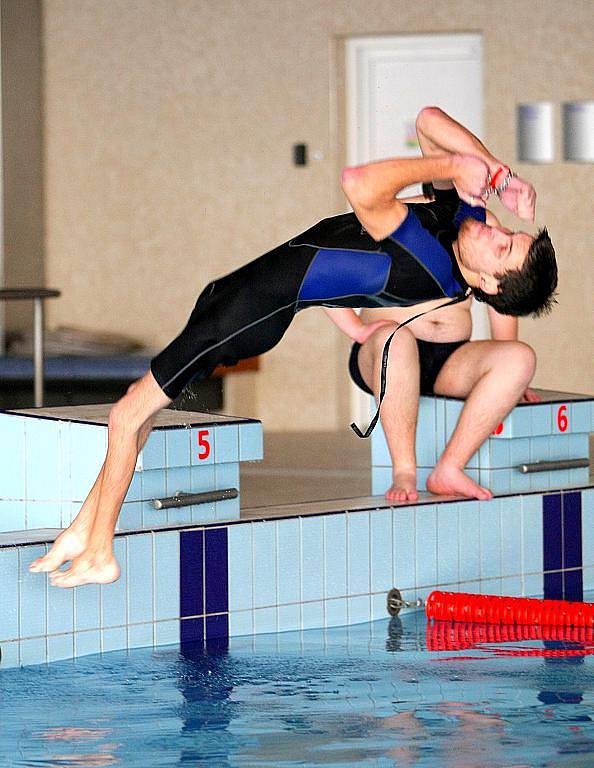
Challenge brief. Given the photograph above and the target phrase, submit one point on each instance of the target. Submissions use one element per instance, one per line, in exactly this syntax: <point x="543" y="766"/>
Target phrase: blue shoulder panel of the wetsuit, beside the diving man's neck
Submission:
<point x="428" y="251"/>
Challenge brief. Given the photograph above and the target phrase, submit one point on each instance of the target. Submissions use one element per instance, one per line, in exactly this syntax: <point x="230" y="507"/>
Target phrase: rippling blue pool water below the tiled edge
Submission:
<point x="369" y="695"/>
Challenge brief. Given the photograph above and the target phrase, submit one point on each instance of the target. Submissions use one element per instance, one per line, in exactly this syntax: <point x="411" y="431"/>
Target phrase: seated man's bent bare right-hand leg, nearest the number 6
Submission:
<point x="492" y="377"/>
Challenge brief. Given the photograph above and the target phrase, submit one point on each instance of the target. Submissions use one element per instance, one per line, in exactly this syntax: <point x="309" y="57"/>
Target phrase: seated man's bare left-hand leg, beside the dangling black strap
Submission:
<point x="400" y="404"/>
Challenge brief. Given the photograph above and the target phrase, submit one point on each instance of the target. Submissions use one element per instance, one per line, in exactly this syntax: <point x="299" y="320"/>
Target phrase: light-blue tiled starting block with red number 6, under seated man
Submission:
<point x="538" y="446"/>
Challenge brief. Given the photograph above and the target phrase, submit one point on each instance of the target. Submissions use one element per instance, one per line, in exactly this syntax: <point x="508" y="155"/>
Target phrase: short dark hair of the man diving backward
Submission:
<point x="531" y="289"/>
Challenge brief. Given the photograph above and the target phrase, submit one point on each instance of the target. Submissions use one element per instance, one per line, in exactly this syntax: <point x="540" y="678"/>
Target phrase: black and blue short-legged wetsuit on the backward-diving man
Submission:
<point x="335" y="264"/>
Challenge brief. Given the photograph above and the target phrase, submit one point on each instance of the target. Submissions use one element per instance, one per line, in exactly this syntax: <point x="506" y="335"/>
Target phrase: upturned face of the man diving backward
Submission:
<point x="491" y="251"/>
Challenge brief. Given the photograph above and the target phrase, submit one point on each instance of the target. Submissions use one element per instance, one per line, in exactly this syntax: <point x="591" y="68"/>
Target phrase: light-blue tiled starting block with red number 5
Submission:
<point x="188" y="471"/>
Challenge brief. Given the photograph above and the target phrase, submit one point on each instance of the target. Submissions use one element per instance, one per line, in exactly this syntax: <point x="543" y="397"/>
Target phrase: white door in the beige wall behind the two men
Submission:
<point x="388" y="80"/>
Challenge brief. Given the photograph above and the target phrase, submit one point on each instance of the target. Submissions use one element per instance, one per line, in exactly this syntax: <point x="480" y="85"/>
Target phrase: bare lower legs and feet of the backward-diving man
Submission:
<point x="87" y="543"/>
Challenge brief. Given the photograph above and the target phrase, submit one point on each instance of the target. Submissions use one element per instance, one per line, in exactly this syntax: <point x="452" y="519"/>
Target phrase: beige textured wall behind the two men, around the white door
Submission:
<point x="168" y="134"/>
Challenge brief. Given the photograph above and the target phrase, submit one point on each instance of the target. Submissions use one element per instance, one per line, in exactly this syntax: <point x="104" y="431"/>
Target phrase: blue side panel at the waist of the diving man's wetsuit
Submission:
<point x="336" y="273"/>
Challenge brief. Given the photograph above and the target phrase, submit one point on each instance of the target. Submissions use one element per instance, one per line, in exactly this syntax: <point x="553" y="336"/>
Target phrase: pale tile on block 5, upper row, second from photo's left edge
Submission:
<point x="42" y="438"/>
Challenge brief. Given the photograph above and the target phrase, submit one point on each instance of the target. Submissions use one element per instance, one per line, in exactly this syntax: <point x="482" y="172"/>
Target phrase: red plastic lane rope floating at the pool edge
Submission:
<point x="490" y="609"/>
